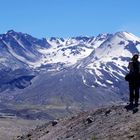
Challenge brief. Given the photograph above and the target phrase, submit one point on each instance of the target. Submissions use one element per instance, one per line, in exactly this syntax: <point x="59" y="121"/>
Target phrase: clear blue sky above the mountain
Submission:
<point x="67" y="18"/>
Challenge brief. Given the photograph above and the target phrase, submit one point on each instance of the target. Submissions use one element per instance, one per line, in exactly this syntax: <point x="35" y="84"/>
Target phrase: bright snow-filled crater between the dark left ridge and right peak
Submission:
<point x="69" y="51"/>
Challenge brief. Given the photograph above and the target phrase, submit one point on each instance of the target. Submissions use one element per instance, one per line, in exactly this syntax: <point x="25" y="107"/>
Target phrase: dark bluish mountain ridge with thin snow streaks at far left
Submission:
<point x="18" y="50"/>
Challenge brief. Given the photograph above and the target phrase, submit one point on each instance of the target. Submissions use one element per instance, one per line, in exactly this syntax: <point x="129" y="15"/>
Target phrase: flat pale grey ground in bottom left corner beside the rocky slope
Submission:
<point x="10" y="128"/>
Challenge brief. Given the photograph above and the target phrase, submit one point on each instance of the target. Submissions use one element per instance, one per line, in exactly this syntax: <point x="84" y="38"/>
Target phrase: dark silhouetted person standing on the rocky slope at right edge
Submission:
<point x="134" y="82"/>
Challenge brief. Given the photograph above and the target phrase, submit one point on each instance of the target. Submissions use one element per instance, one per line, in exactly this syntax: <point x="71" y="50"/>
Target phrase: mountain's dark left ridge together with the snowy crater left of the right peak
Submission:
<point x="20" y="50"/>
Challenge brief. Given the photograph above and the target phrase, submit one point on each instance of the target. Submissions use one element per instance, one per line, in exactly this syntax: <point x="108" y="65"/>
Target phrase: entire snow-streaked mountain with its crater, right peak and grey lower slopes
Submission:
<point x="81" y="71"/>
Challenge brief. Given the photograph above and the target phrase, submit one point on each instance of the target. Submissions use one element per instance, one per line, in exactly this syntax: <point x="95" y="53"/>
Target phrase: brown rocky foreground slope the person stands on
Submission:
<point x="107" y="123"/>
